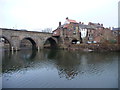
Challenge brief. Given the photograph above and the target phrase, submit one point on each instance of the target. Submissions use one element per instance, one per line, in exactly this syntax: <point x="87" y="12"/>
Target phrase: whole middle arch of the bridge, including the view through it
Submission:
<point x="28" y="42"/>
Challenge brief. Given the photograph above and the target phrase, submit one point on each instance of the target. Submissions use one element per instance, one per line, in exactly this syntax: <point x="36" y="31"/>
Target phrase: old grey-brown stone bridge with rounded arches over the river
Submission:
<point x="14" y="38"/>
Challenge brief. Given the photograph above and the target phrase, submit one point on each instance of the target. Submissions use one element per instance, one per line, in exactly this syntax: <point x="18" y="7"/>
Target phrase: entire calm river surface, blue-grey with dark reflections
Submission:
<point x="59" y="69"/>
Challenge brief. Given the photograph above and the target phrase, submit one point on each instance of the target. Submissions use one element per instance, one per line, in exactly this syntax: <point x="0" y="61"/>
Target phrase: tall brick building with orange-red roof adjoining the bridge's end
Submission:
<point x="68" y="32"/>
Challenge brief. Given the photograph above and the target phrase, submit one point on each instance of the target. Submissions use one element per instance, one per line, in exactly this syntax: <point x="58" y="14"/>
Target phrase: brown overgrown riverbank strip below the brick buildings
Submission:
<point x="94" y="47"/>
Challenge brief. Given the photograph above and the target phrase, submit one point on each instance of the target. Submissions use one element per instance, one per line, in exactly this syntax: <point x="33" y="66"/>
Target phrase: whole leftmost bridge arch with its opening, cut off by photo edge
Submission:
<point x="5" y="42"/>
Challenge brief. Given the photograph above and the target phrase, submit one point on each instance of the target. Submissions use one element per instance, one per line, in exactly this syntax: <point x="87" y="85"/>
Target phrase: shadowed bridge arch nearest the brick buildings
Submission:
<point x="51" y="43"/>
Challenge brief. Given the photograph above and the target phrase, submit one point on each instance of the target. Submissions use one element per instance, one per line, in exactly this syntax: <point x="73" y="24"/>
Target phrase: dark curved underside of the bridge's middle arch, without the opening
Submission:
<point x="31" y="40"/>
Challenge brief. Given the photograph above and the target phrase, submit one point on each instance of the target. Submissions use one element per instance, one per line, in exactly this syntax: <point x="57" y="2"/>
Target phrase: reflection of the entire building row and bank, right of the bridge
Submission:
<point x="70" y="64"/>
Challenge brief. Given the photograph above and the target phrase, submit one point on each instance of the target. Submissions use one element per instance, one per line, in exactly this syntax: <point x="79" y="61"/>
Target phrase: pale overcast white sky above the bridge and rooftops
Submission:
<point x="40" y="14"/>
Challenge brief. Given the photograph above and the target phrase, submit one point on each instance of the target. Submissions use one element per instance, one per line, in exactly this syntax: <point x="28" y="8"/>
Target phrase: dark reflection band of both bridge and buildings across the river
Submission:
<point x="68" y="63"/>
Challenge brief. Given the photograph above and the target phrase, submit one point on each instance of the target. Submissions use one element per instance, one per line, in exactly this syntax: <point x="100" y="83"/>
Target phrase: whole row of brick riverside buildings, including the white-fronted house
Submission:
<point x="72" y="32"/>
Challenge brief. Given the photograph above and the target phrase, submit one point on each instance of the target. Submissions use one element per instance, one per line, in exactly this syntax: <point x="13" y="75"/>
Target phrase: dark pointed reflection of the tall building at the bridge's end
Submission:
<point x="67" y="64"/>
